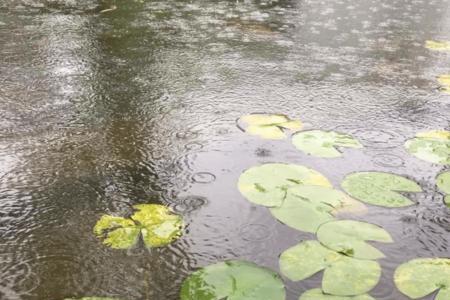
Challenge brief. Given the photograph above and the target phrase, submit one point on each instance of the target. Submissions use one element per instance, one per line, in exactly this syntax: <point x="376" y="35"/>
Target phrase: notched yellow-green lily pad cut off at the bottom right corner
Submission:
<point x="421" y="277"/>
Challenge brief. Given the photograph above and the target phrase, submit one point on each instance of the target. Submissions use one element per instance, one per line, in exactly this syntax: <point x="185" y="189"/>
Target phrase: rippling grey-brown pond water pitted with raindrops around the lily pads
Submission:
<point x="102" y="110"/>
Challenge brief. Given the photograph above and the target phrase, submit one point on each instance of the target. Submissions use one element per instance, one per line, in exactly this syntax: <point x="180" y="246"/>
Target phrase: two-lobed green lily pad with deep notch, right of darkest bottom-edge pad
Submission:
<point x="343" y="275"/>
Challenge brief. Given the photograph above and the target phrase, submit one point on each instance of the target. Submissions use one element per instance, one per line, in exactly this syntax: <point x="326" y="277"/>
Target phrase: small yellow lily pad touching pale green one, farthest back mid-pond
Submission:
<point x="269" y="126"/>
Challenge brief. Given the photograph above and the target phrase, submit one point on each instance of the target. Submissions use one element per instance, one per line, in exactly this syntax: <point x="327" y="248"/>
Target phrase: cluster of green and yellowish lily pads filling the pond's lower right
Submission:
<point x="305" y="200"/>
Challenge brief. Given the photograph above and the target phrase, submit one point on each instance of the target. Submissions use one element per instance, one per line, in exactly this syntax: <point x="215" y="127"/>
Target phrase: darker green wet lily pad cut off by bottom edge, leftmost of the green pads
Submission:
<point x="233" y="280"/>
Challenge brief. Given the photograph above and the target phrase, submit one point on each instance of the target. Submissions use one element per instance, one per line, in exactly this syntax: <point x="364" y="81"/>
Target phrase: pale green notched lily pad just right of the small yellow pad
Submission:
<point x="323" y="143"/>
